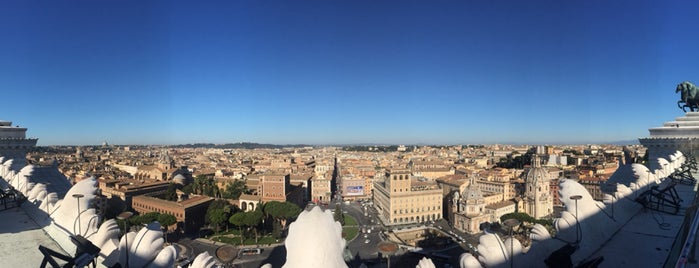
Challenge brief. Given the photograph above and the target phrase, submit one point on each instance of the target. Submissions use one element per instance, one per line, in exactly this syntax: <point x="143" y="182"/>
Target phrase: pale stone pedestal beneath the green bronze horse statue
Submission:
<point x="679" y="135"/>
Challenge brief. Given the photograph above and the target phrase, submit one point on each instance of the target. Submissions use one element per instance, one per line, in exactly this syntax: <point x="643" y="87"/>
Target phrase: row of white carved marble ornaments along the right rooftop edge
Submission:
<point x="587" y="225"/>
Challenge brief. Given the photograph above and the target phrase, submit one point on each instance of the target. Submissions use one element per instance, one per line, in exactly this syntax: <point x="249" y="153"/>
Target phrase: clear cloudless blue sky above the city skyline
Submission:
<point x="319" y="72"/>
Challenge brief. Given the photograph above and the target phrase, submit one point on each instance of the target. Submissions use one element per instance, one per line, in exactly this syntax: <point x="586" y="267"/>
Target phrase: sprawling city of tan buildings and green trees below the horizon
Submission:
<point x="237" y="202"/>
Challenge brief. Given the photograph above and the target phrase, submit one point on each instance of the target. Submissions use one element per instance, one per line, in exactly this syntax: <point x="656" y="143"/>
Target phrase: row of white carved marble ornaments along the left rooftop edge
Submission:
<point x="69" y="216"/>
